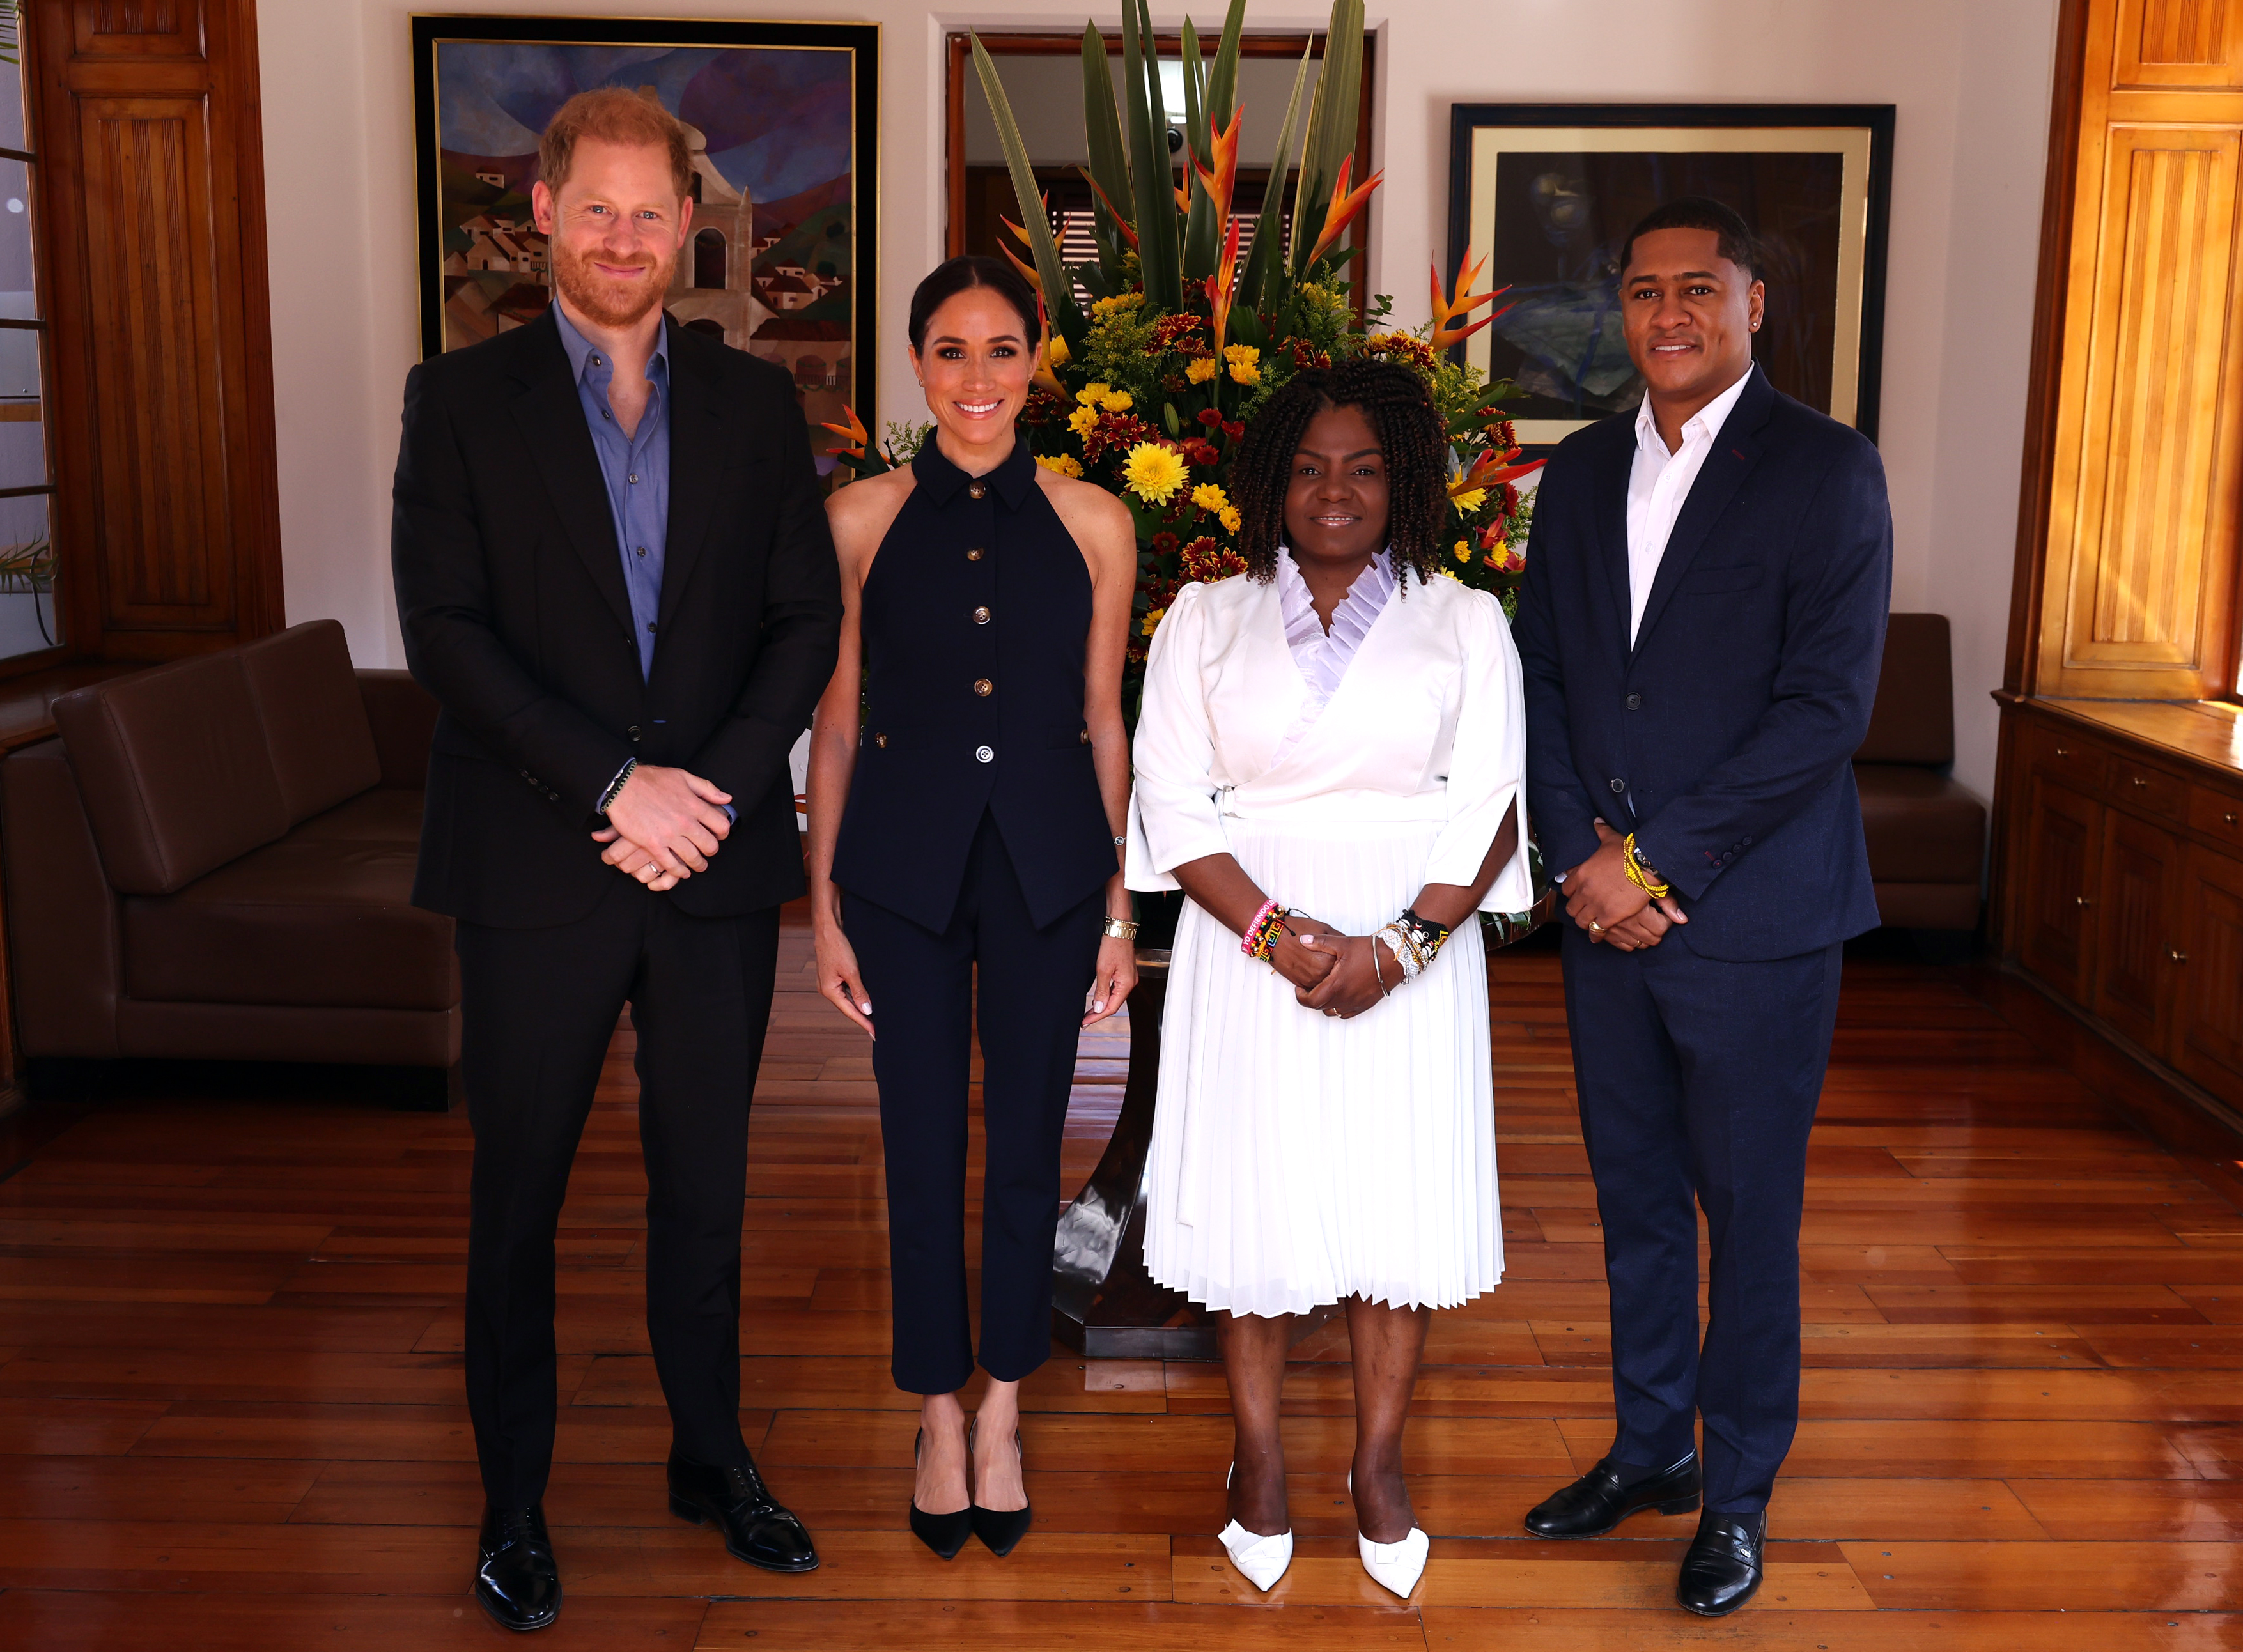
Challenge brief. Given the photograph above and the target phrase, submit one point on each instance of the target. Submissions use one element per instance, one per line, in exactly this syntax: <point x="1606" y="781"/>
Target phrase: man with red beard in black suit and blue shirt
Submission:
<point x="613" y="575"/>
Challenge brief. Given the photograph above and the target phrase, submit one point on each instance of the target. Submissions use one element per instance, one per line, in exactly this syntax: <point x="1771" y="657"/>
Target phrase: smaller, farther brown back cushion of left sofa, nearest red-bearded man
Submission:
<point x="315" y="716"/>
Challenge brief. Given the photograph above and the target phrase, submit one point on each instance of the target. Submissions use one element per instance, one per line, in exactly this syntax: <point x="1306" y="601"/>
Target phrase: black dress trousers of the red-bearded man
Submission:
<point x="537" y="1010"/>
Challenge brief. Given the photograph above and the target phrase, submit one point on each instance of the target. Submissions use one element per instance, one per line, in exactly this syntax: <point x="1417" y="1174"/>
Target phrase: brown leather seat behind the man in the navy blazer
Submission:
<point x="1926" y="833"/>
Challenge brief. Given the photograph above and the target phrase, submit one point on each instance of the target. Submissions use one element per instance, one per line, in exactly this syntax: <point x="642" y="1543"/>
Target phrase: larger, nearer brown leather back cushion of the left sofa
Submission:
<point x="176" y="772"/>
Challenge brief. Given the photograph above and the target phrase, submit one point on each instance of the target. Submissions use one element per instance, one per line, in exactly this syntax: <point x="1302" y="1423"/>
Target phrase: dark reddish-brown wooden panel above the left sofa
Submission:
<point x="154" y="212"/>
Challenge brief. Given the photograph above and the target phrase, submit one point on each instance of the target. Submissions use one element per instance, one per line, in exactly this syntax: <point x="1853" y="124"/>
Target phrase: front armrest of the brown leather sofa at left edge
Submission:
<point x="66" y="956"/>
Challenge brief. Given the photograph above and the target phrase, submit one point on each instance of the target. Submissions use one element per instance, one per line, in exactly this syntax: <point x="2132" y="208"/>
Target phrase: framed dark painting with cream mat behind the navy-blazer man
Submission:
<point x="1549" y="194"/>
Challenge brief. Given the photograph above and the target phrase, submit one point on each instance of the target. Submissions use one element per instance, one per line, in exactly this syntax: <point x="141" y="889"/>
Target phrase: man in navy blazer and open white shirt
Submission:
<point x="1701" y="631"/>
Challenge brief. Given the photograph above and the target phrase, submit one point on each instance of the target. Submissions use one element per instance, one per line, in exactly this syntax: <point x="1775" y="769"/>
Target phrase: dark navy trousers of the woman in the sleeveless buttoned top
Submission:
<point x="1031" y="1012"/>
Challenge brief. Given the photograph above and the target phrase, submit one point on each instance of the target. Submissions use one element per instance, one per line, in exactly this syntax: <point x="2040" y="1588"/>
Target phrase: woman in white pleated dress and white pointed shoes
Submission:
<point x="1329" y="765"/>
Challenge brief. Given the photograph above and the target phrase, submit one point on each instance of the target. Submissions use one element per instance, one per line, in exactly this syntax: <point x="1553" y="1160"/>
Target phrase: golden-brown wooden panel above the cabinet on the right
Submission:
<point x="2127" y="582"/>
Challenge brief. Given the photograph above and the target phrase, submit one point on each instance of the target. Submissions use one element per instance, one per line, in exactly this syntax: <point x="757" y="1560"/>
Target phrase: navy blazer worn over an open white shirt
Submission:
<point x="1726" y="736"/>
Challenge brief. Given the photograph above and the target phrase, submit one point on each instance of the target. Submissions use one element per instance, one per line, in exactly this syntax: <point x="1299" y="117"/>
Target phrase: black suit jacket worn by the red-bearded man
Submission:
<point x="510" y="591"/>
